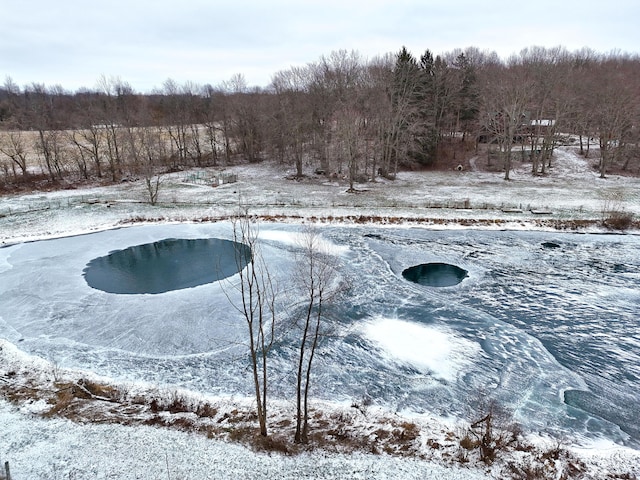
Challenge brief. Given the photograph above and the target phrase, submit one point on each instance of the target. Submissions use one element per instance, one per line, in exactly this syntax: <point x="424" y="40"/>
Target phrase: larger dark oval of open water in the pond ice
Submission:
<point x="166" y="265"/>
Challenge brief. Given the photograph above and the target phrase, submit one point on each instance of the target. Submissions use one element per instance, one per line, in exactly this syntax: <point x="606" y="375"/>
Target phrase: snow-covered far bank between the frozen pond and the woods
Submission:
<point x="571" y="195"/>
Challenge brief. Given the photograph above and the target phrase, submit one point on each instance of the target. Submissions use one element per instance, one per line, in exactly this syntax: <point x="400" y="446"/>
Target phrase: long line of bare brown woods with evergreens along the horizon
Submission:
<point x="342" y="115"/>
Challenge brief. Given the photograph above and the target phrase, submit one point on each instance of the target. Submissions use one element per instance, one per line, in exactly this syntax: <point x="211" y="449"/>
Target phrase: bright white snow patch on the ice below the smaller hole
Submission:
<point x="425" y="347"/>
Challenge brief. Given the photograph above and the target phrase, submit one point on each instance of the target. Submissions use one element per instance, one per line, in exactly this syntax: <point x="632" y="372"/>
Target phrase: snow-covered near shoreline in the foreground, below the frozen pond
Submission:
<point x="66" y="444"/>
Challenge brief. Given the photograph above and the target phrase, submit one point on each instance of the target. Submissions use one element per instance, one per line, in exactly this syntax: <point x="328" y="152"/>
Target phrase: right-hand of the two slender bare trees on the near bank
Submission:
<point x="316" y="278"/>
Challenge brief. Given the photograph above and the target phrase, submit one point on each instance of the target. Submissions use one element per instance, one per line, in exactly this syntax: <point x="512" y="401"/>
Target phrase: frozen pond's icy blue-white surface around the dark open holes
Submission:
<point x="546" y="323"/>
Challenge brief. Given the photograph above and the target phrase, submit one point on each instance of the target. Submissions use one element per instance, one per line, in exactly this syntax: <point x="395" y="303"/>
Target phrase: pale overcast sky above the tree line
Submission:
<point x="73" y="43"/>
